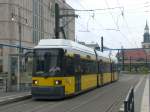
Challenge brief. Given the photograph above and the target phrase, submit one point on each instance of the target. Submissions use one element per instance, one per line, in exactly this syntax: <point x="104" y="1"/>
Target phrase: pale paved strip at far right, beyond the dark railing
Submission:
<point x="145" y="98"/>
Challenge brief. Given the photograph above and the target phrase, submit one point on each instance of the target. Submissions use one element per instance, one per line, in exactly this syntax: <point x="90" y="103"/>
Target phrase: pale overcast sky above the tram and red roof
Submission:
<point x="122" y="26"/>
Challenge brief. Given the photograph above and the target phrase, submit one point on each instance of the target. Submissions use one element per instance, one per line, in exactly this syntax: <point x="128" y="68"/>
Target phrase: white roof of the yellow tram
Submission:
<point x="69" y="44"/>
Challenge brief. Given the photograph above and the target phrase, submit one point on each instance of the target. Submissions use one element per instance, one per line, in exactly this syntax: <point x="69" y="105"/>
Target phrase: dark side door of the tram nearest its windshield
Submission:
<point x="77" y="73"/>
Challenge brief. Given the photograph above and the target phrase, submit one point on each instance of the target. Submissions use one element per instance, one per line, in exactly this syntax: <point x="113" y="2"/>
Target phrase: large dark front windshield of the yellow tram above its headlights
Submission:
<point x="48" y="62"/>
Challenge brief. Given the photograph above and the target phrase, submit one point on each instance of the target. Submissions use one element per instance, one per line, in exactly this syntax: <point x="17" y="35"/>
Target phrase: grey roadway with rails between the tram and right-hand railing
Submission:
<point x="79" y="103"/>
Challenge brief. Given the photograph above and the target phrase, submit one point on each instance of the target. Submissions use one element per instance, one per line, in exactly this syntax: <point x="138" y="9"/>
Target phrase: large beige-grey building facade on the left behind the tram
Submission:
<point x="25" y="23"/>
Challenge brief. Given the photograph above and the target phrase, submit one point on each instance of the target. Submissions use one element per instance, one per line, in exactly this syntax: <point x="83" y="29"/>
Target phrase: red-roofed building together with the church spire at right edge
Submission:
<point x="136" y="59"/>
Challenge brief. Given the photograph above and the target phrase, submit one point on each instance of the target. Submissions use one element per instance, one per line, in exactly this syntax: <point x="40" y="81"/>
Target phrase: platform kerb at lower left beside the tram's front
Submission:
<point x="17" y="98"/>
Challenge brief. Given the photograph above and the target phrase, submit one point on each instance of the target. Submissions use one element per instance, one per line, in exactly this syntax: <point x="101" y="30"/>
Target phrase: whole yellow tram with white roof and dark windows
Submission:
<point x="62" y="68"/>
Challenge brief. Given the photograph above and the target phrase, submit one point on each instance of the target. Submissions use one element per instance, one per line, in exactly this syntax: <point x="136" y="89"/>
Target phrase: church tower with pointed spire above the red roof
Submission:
<point x="146" y="39"/>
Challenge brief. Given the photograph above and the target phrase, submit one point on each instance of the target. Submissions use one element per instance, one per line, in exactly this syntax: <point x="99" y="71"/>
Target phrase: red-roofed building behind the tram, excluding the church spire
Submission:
<point x="133" y="60"/>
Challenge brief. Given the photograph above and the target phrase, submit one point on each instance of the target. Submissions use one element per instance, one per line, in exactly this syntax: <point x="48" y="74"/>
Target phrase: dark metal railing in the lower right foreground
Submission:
<point x="129" y="101"/>
